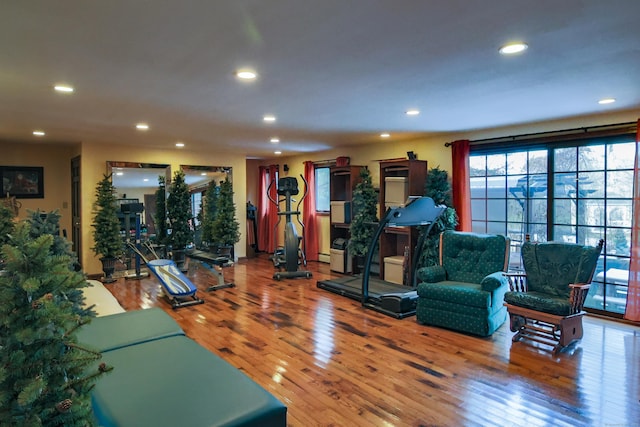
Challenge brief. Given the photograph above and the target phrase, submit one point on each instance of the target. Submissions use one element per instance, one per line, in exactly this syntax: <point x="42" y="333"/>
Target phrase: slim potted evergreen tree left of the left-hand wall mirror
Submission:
<point x="106" y="227"/>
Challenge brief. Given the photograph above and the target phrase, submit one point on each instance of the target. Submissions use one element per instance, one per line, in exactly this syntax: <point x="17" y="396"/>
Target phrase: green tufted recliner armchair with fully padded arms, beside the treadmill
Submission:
<point x="465" y="292"/>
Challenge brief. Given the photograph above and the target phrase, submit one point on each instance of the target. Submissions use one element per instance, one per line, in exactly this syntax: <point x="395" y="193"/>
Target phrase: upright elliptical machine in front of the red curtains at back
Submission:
<point x="291" y="255"/>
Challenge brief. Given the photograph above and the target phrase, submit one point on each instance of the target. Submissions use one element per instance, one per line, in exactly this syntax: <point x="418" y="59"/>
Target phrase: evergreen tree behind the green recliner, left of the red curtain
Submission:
<point x="438" y="187"/>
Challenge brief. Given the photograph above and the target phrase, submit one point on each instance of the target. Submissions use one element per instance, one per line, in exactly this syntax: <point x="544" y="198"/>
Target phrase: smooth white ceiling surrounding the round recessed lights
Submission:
<point x="334" y="72"/>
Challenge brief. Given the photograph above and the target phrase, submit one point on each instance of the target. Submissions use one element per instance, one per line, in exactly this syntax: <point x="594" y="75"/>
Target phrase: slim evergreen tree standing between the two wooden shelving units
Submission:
<point x="363" y="224"/>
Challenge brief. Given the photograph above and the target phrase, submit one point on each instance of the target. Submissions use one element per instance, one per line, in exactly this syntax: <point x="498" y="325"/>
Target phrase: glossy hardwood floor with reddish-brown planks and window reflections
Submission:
<point x="334" y="363"/>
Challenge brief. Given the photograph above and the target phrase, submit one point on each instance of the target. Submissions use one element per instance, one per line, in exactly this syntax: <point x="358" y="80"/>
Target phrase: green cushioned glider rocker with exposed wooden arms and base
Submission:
<point x="545" y="302"/>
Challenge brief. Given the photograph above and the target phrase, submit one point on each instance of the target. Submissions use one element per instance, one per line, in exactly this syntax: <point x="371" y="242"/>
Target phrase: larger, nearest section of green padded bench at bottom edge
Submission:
<point x="174" y="381"/>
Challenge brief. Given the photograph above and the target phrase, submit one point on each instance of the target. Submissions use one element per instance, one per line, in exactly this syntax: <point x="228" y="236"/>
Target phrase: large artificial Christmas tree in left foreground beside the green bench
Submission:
<point x="45" y="375"/>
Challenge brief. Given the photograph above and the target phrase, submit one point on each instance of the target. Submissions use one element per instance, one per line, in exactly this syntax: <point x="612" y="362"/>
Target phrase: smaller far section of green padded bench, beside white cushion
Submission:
<point x="114" y="331"/>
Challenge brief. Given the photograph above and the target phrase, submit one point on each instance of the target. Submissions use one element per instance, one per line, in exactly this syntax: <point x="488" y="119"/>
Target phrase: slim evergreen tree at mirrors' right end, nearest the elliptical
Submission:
<point x="225" y="227"/>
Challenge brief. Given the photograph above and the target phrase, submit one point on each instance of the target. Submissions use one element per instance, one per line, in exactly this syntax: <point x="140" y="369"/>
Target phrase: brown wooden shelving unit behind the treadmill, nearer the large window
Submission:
<point x="394" y="240"/>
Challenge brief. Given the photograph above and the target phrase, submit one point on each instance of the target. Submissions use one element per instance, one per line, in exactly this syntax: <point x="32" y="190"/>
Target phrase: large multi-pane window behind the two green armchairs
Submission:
<point x="577" y="192"/>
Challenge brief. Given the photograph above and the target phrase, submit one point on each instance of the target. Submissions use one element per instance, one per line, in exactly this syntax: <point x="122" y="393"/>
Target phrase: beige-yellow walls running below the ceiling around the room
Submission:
<point x="56" y="158"/>
